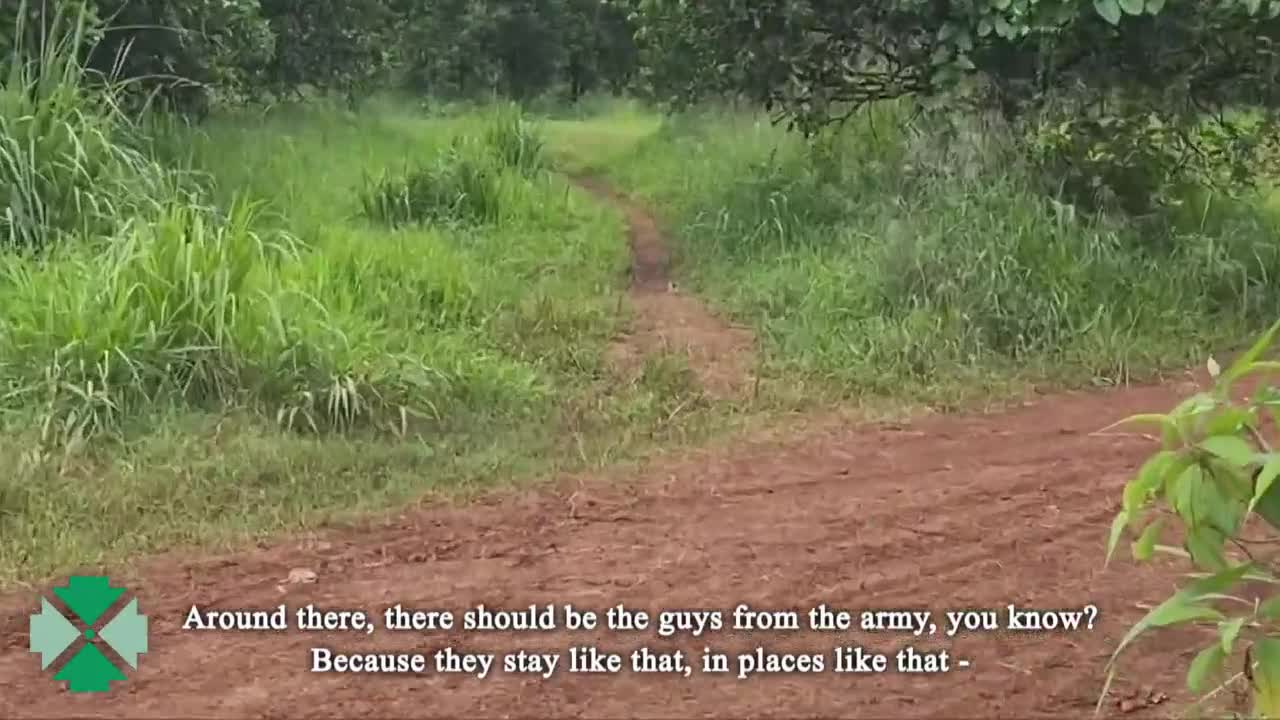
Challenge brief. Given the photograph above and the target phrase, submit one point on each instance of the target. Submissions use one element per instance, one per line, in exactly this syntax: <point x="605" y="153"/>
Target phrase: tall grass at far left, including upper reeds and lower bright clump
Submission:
<point x="156" y="302"/>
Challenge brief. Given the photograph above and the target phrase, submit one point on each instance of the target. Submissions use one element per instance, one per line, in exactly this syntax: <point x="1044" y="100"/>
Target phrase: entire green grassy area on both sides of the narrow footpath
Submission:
<point x="289" y="318"/>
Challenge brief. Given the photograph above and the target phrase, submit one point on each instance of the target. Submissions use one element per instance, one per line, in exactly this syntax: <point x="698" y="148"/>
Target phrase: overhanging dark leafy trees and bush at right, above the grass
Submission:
<point x="1128" y="101"/>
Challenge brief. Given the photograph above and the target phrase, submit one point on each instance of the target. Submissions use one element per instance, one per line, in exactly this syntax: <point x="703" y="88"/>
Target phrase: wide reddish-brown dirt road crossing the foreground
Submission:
<point x="949" y="513"/>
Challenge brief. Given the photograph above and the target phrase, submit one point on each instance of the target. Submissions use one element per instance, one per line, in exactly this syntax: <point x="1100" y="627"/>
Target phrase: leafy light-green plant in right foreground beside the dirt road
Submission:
<point x="1217" y="476"/>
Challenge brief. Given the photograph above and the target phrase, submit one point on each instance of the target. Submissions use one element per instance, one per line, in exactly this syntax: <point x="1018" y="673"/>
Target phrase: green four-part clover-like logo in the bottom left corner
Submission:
<point x="89" y="669"/>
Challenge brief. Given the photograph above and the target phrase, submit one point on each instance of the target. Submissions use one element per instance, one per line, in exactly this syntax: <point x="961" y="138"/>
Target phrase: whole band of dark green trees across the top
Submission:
<point x="1118" y="101"/>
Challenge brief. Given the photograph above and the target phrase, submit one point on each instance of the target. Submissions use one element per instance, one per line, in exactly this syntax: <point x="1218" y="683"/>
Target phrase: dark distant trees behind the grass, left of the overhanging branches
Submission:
<point x="198" y="52"/>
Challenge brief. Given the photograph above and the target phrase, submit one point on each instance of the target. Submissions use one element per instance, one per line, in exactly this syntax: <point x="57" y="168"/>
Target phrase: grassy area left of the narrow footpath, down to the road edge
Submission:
<point x="289" y="347"/>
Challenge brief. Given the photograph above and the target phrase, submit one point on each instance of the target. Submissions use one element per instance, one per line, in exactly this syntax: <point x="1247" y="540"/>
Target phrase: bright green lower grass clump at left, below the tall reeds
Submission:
<point x="190" y="309"/>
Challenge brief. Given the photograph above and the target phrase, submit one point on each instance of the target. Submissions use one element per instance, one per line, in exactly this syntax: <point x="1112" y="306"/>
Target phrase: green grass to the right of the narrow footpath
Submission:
<point x="888" y="263"/>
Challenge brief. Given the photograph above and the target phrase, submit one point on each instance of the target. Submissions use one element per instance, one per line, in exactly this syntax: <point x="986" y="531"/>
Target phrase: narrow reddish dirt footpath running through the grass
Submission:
<point x="668" y="321"/>
